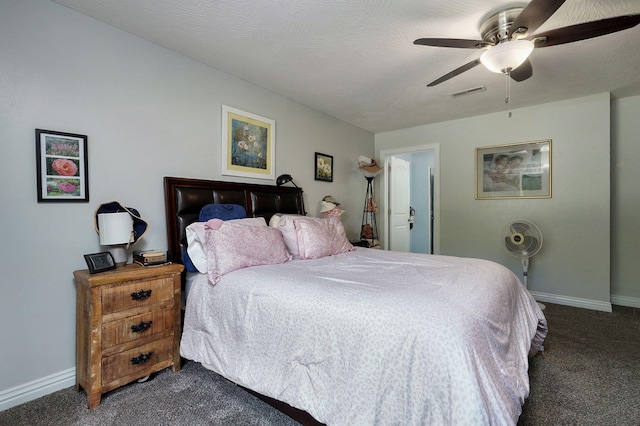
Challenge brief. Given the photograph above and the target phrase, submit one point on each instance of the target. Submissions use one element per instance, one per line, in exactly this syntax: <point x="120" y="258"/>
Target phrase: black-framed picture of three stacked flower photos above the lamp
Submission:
<point x="62" y="168"/>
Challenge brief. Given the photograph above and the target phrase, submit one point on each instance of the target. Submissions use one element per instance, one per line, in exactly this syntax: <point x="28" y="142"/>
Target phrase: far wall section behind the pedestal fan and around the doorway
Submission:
<point x="573" y="266"/>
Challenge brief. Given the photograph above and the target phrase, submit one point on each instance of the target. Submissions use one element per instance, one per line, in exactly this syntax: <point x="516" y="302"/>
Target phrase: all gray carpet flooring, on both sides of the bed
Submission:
<point x="588" y="375"/>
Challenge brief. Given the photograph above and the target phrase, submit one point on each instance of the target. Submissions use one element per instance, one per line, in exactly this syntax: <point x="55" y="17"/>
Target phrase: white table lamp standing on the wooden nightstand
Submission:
<point x="116" y="231"/>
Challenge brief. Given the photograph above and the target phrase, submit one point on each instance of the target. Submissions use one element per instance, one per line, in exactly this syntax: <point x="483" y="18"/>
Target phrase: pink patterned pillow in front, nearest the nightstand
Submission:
<point x="232" y="246"/>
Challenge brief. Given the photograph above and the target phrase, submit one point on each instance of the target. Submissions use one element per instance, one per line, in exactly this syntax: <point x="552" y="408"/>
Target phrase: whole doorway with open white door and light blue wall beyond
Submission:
<point x="411" y="184"/>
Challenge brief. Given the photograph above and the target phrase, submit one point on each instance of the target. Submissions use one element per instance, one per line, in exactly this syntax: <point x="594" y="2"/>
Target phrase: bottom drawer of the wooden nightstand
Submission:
<point x="136" y="360"/>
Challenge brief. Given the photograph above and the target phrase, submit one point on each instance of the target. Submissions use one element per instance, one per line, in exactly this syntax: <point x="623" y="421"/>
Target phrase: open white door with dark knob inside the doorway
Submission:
<point x="399" y="198"/>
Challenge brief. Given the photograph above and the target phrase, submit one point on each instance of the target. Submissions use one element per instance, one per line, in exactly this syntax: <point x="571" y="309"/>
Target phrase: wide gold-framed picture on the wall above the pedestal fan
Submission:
<point x="519" y="170"/>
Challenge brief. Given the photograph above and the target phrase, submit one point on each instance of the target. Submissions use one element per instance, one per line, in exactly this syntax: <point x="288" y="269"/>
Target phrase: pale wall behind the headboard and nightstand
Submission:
<point x="148" y="113"/>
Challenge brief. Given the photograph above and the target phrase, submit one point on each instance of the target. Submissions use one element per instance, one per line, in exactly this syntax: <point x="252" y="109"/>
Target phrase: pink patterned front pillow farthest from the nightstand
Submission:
<point x="321" y="237"/>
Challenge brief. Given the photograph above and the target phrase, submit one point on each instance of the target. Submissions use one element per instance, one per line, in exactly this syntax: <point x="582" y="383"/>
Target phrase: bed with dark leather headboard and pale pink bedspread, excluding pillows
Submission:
<point x="362" y="336"/>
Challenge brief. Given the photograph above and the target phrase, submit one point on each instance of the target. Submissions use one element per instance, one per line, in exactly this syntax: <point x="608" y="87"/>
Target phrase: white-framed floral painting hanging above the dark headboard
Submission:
<point x="248" y="144"/>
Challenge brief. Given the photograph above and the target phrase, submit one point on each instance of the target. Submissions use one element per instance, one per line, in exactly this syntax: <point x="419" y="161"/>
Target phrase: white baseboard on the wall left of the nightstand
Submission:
<point x="37" y="388"/>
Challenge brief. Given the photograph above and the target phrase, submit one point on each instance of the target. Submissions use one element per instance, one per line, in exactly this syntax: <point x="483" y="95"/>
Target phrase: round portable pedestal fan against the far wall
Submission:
<point x="522" y="239"/>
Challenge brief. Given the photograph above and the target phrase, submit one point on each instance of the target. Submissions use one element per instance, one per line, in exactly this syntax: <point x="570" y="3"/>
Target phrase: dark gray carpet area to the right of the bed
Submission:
<point x="589" y="373"/>
